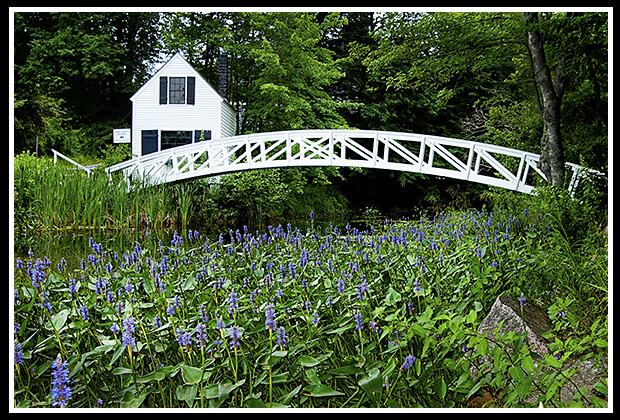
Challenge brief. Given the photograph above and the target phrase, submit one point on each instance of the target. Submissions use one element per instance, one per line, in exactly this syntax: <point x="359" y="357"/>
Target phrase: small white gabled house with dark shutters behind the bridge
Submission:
<point x="178" y="106"/>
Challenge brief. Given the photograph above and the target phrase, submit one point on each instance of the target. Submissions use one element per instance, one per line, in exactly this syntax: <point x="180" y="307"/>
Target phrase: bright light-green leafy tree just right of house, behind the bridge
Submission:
<point x="293" y="72"/>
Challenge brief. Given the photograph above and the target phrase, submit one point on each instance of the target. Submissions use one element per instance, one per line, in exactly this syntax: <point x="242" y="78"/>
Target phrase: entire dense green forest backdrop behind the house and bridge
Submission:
<point x="530" y="81"/>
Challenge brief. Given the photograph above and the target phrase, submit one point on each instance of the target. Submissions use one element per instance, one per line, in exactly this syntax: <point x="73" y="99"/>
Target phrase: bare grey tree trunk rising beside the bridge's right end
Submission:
<point x="552" y="153"/>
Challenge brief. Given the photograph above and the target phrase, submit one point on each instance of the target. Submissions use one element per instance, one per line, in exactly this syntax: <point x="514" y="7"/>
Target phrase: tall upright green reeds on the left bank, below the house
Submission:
<point x="51" y="197"/>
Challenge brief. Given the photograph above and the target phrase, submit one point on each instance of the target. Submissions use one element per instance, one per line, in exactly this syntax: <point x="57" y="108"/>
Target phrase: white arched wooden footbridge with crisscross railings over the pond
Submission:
<point x="440" y="156"/>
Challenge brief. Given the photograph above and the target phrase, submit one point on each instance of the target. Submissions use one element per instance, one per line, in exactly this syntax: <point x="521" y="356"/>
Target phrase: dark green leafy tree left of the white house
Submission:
<point x="87" y="64"/>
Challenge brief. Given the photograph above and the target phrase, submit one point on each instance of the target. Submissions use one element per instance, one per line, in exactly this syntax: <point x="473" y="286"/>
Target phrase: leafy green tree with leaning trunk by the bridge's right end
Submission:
<point x="469" y="59"/>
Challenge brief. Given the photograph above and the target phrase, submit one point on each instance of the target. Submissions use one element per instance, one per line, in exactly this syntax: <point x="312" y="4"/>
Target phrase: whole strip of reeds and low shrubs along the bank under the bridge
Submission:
<point x="50" y="197"/>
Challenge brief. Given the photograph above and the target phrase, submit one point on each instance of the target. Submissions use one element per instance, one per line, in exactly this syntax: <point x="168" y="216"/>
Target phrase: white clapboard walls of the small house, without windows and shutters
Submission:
<point x="210" y="111"/>
